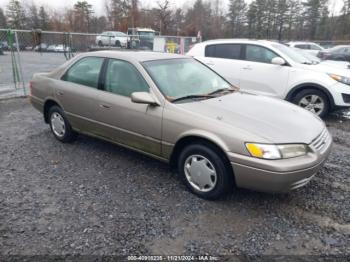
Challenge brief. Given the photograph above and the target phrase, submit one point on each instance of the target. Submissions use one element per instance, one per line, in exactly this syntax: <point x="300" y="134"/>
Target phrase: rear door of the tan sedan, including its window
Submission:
<point x="77" y="92"/>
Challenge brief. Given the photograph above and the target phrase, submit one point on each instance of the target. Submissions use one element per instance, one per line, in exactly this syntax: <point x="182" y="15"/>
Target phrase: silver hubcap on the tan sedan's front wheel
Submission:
<point x="200" y="173"/>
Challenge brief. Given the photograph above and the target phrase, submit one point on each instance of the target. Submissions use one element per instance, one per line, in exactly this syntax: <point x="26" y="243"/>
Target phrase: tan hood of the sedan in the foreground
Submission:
<point x="274" y="120"/>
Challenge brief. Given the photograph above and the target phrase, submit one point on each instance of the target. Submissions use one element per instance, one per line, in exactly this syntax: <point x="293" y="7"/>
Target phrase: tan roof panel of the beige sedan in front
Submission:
<point x="136" y="56"/>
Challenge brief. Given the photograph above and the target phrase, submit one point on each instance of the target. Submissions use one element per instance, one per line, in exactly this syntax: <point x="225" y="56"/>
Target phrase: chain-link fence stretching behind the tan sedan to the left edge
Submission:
<point x="25" y="52"/>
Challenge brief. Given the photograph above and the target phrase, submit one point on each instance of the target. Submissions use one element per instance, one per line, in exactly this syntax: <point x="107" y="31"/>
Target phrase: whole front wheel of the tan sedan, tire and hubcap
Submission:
<point x="197" y="157"/>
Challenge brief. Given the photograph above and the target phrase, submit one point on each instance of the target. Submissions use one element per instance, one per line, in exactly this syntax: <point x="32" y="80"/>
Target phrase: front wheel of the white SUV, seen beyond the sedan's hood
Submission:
<point x="306" y="96"/>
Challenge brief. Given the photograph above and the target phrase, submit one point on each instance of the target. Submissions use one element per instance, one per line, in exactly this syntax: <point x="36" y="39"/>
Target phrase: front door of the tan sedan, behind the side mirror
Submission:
<point x="134" y="125"/>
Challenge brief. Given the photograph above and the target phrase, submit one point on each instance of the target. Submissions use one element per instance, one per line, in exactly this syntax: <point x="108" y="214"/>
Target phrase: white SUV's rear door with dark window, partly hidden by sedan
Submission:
<point x="225" y="59"/>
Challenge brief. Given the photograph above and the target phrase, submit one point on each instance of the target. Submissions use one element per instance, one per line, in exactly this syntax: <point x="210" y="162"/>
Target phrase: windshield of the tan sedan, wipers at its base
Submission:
<point x="177" y="78"/>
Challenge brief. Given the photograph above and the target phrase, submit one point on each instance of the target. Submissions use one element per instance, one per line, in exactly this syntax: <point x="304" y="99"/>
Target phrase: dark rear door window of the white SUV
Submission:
<point x="228" y="51"/>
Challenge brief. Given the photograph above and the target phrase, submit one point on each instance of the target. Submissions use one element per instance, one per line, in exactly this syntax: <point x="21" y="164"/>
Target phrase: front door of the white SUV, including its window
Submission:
<point x="260" y="76"/>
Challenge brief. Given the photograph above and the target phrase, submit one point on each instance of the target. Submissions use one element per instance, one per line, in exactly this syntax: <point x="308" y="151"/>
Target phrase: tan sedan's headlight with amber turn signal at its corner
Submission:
<point x="273" y="152"/>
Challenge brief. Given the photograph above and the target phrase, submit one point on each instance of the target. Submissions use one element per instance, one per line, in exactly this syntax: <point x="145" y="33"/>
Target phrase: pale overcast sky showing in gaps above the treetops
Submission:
<point x="98" y="5"/>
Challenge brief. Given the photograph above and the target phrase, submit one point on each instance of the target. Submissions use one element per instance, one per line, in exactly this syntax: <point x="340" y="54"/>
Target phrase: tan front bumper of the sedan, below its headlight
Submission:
<point x="279" y="175"/>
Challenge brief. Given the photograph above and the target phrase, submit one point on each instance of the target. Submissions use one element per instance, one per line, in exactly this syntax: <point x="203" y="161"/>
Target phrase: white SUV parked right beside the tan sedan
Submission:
<point x="272" y="69"/>
